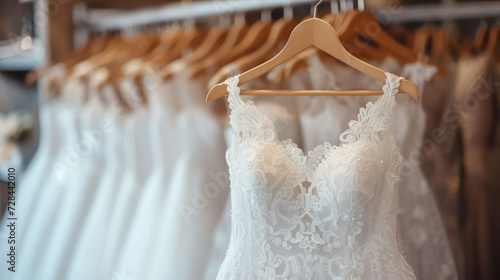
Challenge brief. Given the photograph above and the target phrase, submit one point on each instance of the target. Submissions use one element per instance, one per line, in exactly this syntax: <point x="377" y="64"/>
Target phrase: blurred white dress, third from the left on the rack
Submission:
<point x="85" y="261"/>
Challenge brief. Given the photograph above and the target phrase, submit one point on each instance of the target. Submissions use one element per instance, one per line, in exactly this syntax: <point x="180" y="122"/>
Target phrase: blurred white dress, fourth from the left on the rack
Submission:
<point x="137" y="168"/>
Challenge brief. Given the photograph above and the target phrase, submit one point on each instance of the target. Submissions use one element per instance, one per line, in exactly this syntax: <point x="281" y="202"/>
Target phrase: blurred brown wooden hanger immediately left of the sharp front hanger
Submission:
<point x="280" y="31"/>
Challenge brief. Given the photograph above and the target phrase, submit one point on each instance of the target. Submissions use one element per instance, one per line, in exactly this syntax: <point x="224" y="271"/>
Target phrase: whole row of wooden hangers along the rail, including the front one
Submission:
<point x="240" y="47"/>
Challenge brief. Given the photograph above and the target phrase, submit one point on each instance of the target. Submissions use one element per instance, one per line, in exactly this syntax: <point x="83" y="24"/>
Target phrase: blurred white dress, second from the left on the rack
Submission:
<point x="66" y="226"/>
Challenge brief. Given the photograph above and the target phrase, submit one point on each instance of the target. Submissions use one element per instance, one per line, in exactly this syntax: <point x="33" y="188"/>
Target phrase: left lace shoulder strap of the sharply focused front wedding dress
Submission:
<point x="244" y="117"/>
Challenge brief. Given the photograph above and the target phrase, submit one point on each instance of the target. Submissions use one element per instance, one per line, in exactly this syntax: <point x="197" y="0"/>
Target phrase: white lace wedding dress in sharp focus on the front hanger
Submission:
<point x="330" y="214"/>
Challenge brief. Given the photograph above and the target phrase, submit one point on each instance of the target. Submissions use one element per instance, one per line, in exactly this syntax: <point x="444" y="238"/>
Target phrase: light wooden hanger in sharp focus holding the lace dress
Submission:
<point x="318" y="33"/>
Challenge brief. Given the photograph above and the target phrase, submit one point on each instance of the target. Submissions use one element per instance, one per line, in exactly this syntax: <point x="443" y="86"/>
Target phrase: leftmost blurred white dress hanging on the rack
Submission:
<point x="55" y="188"/>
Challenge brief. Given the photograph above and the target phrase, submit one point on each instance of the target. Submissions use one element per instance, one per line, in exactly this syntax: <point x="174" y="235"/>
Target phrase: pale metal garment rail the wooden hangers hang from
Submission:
<point x="205" y="9"/>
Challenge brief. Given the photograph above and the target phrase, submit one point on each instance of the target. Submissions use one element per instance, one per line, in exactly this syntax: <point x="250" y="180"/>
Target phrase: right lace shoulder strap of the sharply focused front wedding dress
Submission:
<point x="375" y="116"/>
